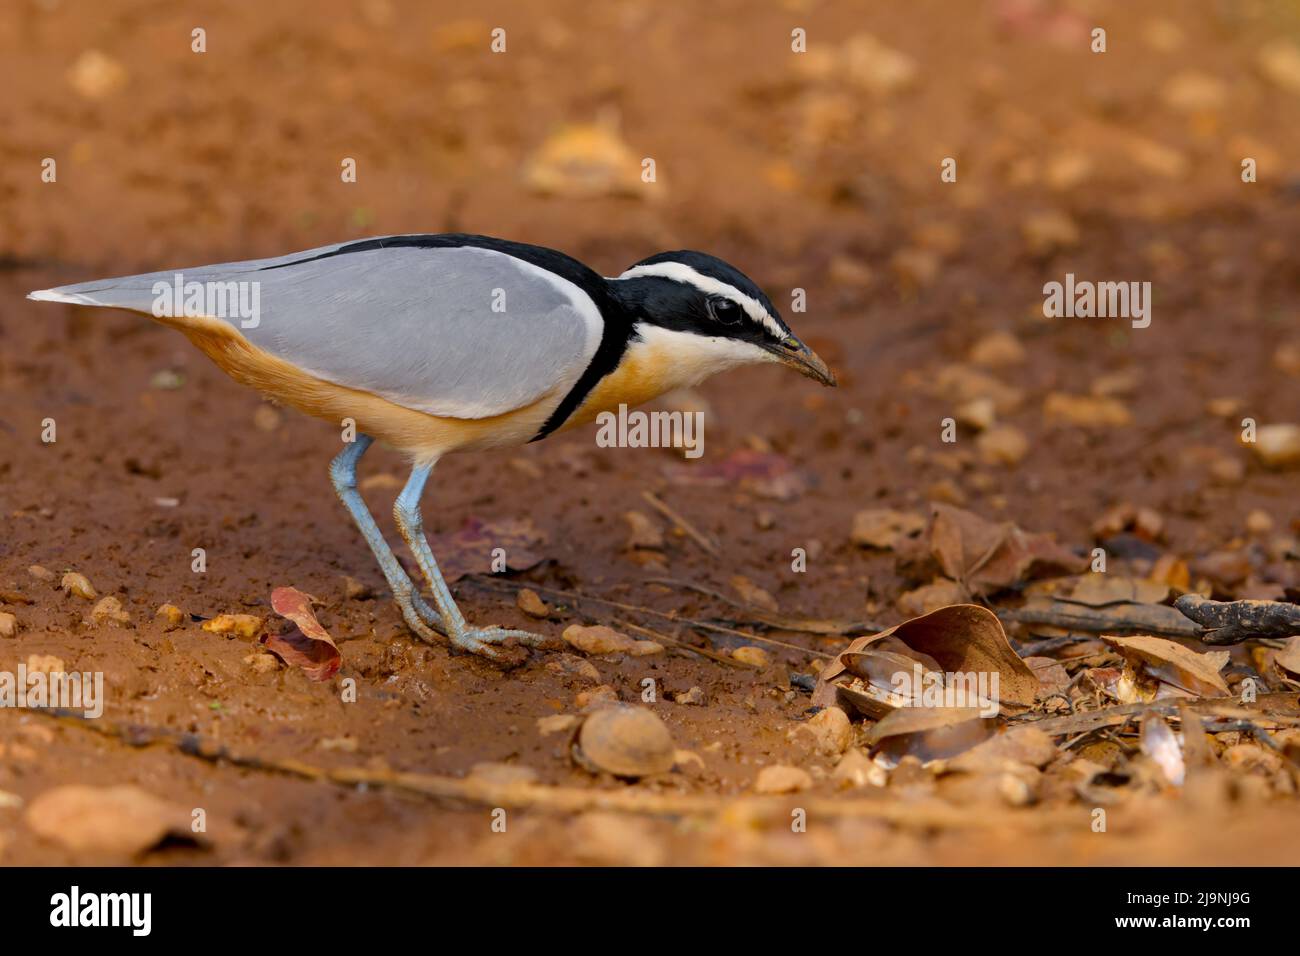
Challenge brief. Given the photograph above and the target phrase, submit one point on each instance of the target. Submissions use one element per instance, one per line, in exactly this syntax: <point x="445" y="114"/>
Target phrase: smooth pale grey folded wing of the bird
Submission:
<point x="462" y="332"/>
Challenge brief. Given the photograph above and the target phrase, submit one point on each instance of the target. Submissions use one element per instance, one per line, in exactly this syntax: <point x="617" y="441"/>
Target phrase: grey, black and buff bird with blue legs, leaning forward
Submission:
<point x="452" y="343"/>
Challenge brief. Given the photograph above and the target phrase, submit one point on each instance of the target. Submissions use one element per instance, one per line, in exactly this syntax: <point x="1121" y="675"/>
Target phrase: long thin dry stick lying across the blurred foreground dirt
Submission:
<point x="575" y="799"/>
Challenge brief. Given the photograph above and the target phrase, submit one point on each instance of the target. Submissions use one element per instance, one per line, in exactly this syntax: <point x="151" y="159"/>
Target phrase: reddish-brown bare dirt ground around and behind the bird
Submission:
<point x="803" y="172"/>
